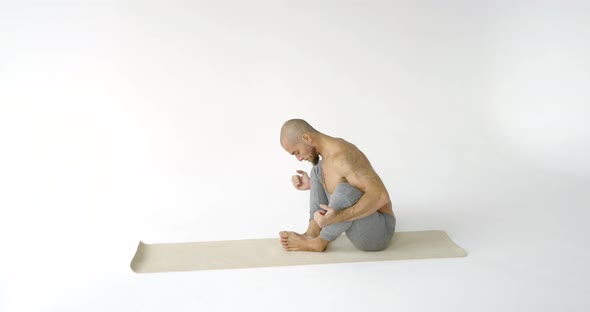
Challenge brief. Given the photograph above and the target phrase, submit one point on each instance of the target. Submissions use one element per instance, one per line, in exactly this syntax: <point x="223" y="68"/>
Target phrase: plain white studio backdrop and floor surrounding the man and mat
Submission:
<point x="159" y="121"/>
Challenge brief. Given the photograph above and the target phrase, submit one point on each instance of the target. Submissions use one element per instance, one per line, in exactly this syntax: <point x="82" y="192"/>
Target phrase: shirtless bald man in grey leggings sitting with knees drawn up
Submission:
<point x="346" y="195"/>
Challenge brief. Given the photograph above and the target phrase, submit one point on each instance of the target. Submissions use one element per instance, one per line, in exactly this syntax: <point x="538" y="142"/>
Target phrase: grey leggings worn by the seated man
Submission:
<point x="371" y="233"/>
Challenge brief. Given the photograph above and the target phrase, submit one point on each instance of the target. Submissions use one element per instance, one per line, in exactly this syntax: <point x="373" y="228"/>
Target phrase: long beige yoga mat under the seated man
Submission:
<point x="268" y="252"/>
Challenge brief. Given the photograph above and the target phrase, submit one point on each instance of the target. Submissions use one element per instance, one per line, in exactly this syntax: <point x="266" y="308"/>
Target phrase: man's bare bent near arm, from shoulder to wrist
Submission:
<point x="360" y="175"/>
